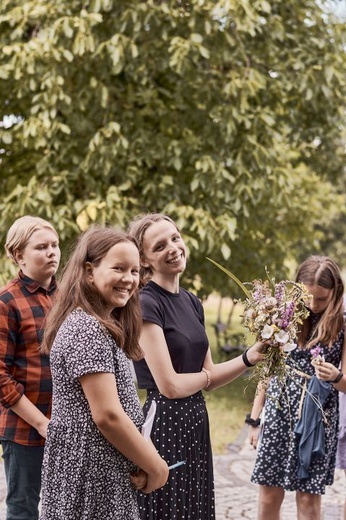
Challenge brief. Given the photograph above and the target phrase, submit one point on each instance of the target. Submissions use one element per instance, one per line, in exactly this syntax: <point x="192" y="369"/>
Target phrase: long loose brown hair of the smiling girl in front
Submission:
<point x="75" y="290"/>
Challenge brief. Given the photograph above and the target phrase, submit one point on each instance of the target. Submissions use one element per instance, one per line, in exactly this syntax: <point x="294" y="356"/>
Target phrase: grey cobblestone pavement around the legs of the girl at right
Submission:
<point x="236" y="496"/>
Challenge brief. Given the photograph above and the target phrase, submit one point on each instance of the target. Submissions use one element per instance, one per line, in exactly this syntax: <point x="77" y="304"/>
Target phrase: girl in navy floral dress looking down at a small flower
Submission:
<point x="279" y="459"/>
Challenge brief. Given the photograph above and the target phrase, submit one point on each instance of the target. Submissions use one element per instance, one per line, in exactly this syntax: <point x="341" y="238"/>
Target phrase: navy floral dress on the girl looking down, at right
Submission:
<point x="277" y="458"/>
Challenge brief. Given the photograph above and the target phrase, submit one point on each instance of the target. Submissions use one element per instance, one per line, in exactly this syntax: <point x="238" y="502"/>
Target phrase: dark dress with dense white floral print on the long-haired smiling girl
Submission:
<point x="84" y="477"/>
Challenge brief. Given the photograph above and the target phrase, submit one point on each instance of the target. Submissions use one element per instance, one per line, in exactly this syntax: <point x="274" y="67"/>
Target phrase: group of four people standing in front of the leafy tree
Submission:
<point x="70" y="417"/>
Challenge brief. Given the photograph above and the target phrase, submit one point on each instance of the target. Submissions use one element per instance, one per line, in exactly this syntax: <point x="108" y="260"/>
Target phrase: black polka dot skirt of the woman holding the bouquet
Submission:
<point x="181" y="432"/>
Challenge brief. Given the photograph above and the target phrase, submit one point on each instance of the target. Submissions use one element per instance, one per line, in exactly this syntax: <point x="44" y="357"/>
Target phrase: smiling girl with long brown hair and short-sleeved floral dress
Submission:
<point x="93" y="443"/>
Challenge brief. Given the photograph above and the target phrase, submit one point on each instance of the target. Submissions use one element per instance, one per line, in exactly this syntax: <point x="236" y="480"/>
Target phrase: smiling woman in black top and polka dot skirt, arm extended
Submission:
<point x="177" y="366"/>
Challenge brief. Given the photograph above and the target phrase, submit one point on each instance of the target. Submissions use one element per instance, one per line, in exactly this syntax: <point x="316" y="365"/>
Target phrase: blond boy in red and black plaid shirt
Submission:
<point x="25" y="378"/>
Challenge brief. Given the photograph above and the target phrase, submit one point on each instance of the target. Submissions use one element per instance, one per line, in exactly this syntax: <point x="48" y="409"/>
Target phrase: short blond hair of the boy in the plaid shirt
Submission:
<point x="20" y="232"/>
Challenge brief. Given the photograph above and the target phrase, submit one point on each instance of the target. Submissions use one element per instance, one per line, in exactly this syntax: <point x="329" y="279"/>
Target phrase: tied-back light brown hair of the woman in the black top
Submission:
<point x="137" y="229"/>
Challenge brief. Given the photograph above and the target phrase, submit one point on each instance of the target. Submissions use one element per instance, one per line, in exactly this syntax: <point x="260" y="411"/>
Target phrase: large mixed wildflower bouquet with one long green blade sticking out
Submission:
<point x="272" y="314"/>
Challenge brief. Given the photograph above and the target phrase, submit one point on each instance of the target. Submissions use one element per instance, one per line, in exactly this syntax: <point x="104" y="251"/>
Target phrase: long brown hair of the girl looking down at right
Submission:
<point x="322" y="271"/>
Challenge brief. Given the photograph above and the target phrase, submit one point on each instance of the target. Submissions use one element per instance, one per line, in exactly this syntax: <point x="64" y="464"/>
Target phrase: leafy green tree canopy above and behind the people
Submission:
<point x="227" y="115"/>
